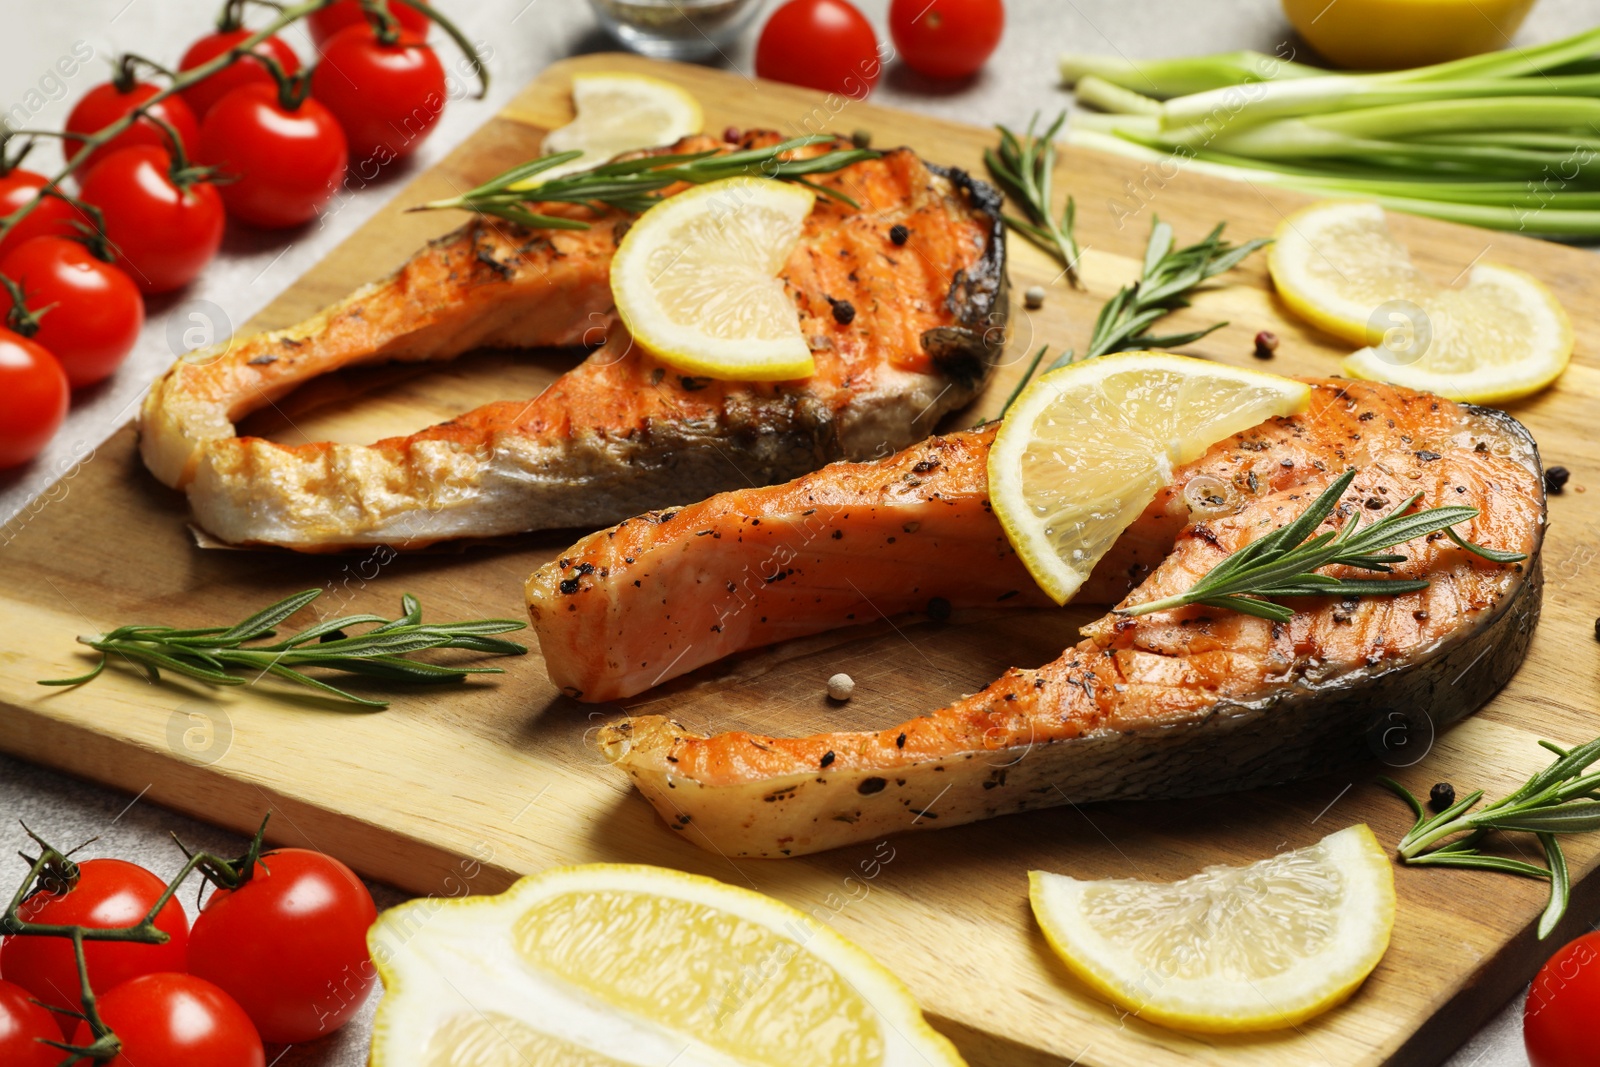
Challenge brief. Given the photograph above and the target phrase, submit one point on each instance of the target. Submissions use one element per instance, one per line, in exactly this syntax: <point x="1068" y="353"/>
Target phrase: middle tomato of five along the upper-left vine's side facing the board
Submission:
<point x="164" y="236"/>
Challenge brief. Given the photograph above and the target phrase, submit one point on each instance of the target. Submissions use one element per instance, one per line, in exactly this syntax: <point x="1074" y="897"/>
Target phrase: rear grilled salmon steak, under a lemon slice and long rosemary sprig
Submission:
<point x="921" y="263"/>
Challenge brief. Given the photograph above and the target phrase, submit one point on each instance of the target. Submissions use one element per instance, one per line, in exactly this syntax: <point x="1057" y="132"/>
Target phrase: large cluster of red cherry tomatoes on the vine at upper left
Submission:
<point x="250" y="137"/>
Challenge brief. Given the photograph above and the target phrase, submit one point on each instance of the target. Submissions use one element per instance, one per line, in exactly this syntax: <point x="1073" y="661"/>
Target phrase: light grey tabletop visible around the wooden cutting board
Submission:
<point x="521" y="39"/>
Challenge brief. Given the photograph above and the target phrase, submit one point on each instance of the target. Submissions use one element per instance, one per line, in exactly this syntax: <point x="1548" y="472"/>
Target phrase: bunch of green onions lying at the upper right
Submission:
<point x="1508" y="140"/>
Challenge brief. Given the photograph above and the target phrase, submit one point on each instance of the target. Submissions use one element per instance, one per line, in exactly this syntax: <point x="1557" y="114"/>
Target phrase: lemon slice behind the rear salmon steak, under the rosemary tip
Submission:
<point x="620" y="113"/>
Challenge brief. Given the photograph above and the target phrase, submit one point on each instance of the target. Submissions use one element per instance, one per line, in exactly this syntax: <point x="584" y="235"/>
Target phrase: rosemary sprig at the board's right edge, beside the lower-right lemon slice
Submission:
<point x="1561" y="799"/>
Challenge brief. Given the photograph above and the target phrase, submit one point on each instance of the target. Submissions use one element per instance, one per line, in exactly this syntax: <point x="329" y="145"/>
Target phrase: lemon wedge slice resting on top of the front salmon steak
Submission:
<point x="1086" y="449"/>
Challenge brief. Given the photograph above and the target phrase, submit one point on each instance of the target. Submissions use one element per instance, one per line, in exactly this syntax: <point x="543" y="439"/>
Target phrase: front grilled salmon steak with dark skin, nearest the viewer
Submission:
<point x="1169" y="705"/>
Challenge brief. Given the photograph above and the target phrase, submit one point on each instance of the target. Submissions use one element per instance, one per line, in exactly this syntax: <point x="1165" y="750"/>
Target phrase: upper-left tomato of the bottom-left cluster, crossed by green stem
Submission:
<point x="108" y="893"/>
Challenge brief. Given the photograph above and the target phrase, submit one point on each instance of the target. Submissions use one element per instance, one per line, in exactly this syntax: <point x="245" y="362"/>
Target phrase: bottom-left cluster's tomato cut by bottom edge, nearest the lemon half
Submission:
<point x="177" y="1021"/>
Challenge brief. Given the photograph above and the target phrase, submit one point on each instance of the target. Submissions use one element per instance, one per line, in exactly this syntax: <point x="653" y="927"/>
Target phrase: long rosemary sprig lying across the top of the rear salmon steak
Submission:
<point x="636" y="185"/>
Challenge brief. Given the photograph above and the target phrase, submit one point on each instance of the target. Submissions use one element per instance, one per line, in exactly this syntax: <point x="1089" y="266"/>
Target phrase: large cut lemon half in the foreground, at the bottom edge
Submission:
<point x="615" y="965"/>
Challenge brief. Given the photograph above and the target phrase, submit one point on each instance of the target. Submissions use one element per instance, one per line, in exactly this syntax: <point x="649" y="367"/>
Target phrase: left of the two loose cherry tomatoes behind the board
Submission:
<point x="820" y="44"/>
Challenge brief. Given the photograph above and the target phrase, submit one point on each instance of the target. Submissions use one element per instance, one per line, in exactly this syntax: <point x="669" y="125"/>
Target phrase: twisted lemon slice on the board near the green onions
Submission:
<point x="1500" y="337"/>
